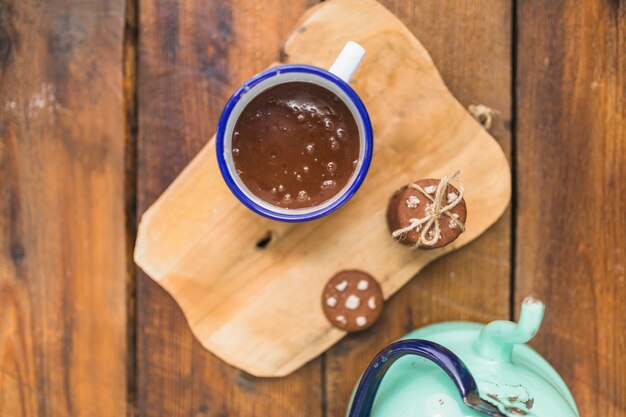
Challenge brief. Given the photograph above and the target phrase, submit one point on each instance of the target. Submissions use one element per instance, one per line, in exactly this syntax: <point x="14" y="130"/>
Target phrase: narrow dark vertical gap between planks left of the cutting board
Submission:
<point x="129" y="63"/>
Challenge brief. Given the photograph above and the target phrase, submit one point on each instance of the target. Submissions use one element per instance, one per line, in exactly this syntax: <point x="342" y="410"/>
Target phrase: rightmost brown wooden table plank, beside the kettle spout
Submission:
<point x="571" y="154"/>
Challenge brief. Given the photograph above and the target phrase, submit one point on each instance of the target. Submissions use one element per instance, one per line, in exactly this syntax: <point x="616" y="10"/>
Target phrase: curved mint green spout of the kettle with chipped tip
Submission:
<point x="497" y="339"/>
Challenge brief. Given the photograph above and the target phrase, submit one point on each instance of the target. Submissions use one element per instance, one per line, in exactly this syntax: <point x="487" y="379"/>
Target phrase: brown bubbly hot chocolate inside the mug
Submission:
<point x="295" y="145"/>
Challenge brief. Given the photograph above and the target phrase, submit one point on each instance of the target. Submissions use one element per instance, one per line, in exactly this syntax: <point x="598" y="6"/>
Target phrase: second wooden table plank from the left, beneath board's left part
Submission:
<point x="192" y="55"/>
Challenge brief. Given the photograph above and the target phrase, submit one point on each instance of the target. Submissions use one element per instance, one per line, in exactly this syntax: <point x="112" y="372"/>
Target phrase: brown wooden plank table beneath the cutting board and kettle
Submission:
<point x="103" y="103"/>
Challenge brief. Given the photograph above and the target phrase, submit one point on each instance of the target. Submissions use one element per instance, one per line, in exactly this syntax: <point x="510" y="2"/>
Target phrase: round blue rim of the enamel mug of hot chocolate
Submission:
<point x="295" y="216"/>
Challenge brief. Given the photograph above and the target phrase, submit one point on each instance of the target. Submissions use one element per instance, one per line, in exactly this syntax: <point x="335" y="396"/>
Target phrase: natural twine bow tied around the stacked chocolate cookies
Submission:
<point x="434" y="212"/>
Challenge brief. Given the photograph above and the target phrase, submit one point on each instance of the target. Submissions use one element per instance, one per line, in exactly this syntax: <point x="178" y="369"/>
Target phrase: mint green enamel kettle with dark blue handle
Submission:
<point x="461" y="369"/>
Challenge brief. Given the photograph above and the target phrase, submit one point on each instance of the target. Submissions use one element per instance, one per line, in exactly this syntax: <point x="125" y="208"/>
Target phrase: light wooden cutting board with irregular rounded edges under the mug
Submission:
<point x="258" y="306"/>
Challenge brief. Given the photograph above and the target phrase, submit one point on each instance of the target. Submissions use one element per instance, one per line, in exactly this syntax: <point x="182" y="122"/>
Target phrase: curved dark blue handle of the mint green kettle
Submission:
<point x="443" y="357"/>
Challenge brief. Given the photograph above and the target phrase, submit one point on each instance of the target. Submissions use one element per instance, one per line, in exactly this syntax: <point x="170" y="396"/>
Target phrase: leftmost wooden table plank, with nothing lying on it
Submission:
<point x="62" y="248"/>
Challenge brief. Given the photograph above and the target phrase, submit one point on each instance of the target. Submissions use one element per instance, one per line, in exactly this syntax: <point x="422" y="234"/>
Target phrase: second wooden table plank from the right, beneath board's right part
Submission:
<point x="470" y="43"/>
